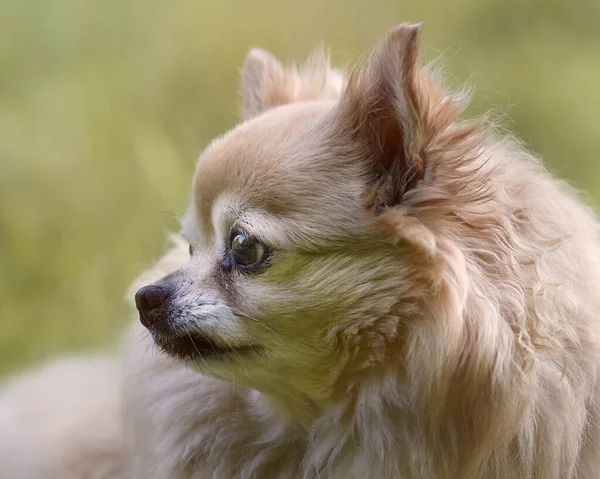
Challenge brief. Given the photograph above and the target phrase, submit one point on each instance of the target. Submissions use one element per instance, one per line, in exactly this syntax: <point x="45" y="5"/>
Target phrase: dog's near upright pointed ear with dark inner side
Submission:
<point x="397" y="110"/>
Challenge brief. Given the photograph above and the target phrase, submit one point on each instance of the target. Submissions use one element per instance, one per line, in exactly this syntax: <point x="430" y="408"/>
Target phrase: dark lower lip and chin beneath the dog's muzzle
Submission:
<point x="196" y="347"/>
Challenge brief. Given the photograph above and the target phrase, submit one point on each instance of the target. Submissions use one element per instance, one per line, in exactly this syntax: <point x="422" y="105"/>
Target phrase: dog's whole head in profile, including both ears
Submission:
<point x="293" y="276"/>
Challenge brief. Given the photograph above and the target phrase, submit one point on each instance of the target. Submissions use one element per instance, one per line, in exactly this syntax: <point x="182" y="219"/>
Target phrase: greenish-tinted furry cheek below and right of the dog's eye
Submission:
<point x="300" y="299"/>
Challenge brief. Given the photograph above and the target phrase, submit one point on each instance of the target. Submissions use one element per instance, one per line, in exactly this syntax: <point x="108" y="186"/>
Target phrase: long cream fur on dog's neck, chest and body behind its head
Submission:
<point x="516" y="345"/>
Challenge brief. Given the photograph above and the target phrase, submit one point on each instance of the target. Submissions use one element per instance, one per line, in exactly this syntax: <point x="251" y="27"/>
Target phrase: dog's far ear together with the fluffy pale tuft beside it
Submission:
<point x="266" y="83"/>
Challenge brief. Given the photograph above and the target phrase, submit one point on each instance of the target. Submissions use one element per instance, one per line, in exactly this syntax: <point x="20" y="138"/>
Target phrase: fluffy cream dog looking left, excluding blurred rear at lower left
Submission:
<point x="367" y="286"/>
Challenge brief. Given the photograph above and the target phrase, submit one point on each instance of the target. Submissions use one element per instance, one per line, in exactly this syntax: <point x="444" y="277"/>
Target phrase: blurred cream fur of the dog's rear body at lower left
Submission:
<point x="63" y="422"/>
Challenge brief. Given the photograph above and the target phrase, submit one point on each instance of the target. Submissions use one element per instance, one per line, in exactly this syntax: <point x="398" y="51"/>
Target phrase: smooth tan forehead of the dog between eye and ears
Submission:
<point x="279" y="162"/>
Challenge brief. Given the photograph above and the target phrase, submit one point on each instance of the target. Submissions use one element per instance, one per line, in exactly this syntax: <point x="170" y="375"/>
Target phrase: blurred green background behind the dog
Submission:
<point x="104" y="106"/>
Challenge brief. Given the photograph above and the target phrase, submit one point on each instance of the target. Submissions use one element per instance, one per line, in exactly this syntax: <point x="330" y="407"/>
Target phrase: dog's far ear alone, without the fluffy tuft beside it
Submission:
<point x="266" y="83"/>
